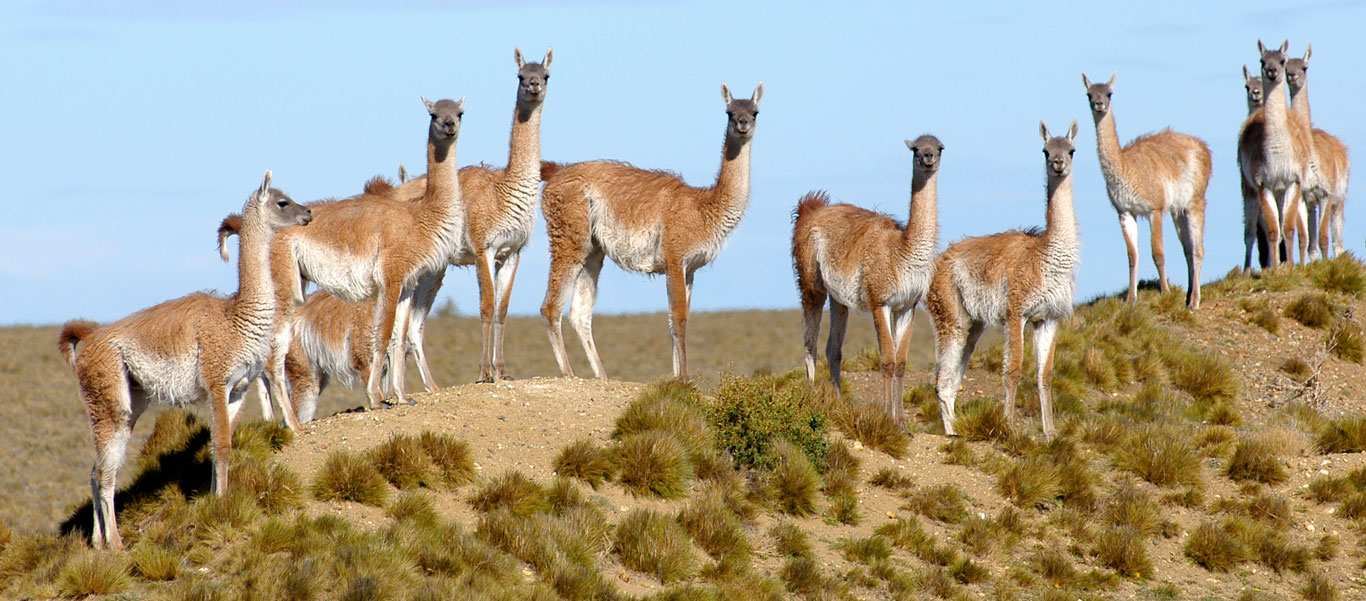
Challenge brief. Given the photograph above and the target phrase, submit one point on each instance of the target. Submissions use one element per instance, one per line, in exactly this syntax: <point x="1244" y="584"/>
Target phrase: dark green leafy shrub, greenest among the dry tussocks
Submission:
<point x="752" y="416"/>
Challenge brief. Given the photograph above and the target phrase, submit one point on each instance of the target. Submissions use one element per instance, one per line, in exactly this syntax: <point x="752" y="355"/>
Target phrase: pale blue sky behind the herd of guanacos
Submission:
<point x="129" y="132"/>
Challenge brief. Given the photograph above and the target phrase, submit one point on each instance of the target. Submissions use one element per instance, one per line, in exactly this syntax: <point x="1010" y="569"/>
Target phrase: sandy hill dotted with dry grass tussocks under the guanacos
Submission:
<point x="1210" y="456"/>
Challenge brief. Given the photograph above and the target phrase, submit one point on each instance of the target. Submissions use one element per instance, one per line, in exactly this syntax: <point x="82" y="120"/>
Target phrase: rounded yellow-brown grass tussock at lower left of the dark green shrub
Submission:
<point x="654" y="464"/>
